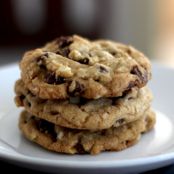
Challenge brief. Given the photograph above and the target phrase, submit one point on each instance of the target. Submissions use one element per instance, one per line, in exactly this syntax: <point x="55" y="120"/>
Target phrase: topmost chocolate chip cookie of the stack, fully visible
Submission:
<point x="75" y="66"/>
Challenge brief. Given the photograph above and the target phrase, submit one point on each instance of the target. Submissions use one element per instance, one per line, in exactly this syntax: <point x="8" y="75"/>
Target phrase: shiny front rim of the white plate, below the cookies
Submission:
<point x="83" y="164"/>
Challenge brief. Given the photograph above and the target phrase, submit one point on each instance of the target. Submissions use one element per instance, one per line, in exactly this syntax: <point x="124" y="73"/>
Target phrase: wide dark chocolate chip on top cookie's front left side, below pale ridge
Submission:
<point x="51" y="78"/>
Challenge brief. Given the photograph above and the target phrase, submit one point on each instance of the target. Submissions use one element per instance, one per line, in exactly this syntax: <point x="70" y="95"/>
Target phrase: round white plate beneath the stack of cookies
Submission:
<point x="155" y="149"/>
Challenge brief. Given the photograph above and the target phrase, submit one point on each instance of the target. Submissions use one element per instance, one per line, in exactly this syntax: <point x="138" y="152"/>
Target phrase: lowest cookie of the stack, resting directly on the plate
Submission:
<point x="72" y="141"/>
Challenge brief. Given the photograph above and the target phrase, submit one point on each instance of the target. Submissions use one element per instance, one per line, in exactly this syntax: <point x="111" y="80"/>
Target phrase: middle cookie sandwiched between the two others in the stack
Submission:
<point x="80" y="113"/>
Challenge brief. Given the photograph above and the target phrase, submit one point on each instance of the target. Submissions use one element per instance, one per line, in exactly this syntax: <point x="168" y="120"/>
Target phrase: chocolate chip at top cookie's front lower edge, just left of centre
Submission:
<point x="77" y="88"/>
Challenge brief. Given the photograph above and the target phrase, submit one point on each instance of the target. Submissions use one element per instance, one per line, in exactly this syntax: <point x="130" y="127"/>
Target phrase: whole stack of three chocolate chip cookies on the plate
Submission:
<point x="84" y="96"/>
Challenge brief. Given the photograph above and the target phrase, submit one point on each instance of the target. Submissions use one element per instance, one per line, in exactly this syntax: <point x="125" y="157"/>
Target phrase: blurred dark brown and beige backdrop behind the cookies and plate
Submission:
<point x="147" y="25"/>
